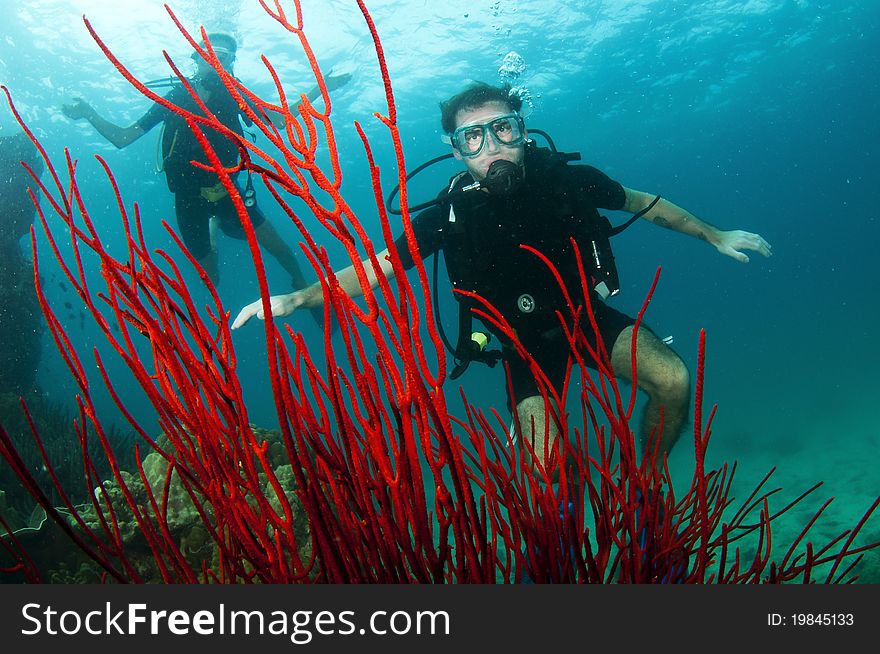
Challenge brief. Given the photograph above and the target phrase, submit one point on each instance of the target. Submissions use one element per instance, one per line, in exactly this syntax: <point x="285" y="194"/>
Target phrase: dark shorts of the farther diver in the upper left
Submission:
<point x="193" y="219"/>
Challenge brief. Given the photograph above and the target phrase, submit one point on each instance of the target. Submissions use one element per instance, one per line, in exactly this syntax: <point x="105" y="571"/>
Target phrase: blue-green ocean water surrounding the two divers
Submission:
<point x="756" y="115"/>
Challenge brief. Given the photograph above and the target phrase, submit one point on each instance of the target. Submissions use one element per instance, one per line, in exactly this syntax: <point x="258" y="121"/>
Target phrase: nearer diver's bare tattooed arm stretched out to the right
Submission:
<point x="669" y="215"/>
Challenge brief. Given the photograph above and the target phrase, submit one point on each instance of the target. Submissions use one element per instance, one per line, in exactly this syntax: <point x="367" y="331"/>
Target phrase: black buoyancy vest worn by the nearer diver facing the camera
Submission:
<point x="482" y="237"/>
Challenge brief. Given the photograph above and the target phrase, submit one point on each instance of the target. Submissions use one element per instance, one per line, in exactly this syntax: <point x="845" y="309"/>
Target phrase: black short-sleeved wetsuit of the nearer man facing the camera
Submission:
<point x="482" y="254"/>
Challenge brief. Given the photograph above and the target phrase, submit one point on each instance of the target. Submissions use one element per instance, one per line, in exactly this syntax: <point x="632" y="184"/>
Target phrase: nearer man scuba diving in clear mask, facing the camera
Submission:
<point x="511" y="193"/>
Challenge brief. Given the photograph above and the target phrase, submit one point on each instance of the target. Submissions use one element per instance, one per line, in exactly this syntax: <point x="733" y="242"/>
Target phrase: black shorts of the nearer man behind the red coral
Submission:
<point x="551" y="352"/>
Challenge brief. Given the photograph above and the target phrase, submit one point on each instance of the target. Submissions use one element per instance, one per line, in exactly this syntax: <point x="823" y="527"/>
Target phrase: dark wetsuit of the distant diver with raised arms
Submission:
<point x="179" y="148"/>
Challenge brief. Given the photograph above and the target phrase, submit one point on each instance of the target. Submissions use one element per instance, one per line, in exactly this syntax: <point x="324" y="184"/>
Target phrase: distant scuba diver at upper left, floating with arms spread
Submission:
<point x="199" y="196"/>
